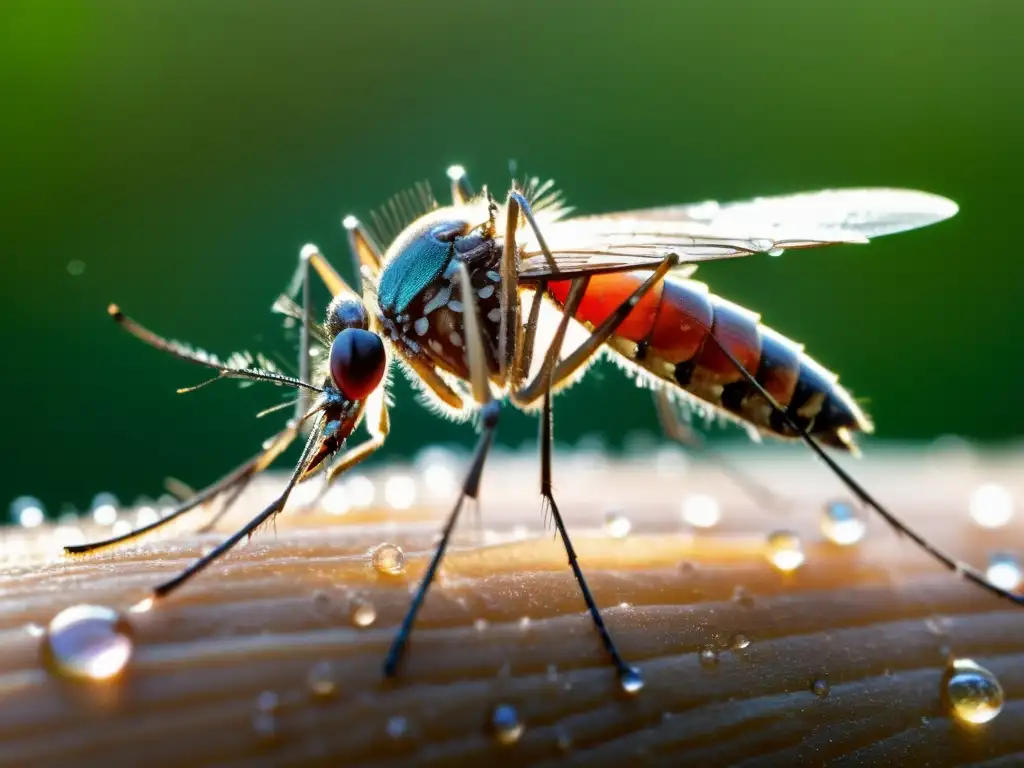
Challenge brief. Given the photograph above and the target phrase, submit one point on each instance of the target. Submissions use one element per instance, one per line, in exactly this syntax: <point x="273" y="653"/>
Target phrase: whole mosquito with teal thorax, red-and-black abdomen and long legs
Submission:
<point x="458" y="302"/>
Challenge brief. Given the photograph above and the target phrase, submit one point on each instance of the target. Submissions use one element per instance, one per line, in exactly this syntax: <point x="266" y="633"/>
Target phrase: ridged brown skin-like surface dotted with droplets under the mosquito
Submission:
<point x="877" y="621"/>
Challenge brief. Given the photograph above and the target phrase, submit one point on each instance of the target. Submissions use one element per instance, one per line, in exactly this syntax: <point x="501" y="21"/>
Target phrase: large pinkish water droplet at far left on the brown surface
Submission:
<point x="88" y="643"/>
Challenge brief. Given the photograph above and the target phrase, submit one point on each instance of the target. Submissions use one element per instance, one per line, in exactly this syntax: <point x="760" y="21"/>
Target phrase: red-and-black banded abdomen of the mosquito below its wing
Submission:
<point x="670" y="334"/>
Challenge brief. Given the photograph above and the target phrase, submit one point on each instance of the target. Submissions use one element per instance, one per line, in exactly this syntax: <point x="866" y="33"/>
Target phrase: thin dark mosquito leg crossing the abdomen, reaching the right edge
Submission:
<point x="952" y="564"/>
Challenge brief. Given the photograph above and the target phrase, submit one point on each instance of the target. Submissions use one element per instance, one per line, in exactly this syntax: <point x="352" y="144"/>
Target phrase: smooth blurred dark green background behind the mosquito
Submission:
<point x="184" y="152"/>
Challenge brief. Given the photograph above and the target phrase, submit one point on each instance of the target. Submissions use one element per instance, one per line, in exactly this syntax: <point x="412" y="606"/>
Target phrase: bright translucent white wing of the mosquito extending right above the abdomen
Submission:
<point x="704" y="232"/>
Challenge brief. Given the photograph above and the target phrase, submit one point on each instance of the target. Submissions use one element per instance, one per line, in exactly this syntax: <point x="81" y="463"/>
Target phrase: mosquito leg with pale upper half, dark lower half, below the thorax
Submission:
<point x="490" y="412"/>
